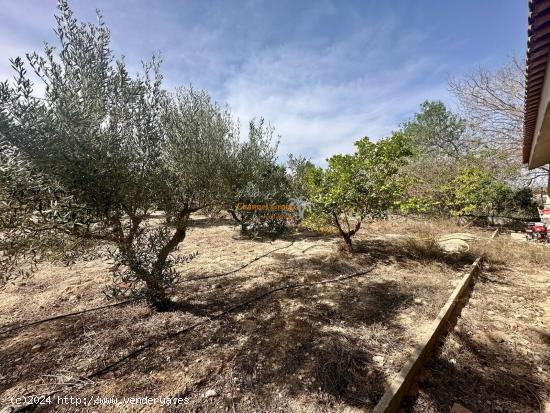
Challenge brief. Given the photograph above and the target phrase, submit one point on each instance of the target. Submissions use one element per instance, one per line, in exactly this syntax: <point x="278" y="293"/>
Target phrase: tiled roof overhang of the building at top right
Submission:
<point x="536" y="133"/>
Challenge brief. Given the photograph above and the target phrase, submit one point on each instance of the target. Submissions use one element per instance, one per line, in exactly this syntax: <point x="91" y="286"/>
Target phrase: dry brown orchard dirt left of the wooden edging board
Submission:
<point x="296" y="337"/>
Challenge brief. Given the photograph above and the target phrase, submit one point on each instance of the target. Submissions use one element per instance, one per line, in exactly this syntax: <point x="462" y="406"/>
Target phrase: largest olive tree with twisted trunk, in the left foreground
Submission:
<point x="119" y="147"/>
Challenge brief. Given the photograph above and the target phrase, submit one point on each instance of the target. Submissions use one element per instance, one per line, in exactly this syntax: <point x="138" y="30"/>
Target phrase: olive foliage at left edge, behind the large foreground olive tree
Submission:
<point x="31" y="206"/>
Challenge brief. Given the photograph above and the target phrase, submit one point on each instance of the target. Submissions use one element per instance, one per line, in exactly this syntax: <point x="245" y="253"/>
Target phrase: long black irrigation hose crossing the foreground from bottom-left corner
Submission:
<point x="173" y="334"/>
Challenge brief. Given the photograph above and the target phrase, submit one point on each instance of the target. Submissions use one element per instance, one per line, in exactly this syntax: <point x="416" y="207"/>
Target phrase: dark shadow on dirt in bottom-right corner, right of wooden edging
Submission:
<point x="492" y="377"/>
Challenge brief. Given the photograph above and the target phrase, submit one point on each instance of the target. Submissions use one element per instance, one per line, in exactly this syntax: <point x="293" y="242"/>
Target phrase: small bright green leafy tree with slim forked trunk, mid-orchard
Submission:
<point x="356" y="187"/>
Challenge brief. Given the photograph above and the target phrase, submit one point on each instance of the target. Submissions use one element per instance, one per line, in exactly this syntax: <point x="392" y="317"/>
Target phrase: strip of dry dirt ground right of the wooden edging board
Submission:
<point x="497" y="358"/>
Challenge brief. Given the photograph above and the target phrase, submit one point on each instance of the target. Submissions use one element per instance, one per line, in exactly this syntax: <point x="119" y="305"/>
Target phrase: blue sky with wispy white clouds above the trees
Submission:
<point x="323" y="73"/>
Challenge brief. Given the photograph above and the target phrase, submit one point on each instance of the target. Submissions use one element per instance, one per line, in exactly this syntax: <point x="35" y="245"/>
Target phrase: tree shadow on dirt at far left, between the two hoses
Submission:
<point x="65" y="346"/>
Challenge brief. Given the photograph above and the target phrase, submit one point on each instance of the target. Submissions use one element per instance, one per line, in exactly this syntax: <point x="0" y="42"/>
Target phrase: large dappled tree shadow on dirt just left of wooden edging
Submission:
<point x="311" y="342"/>
